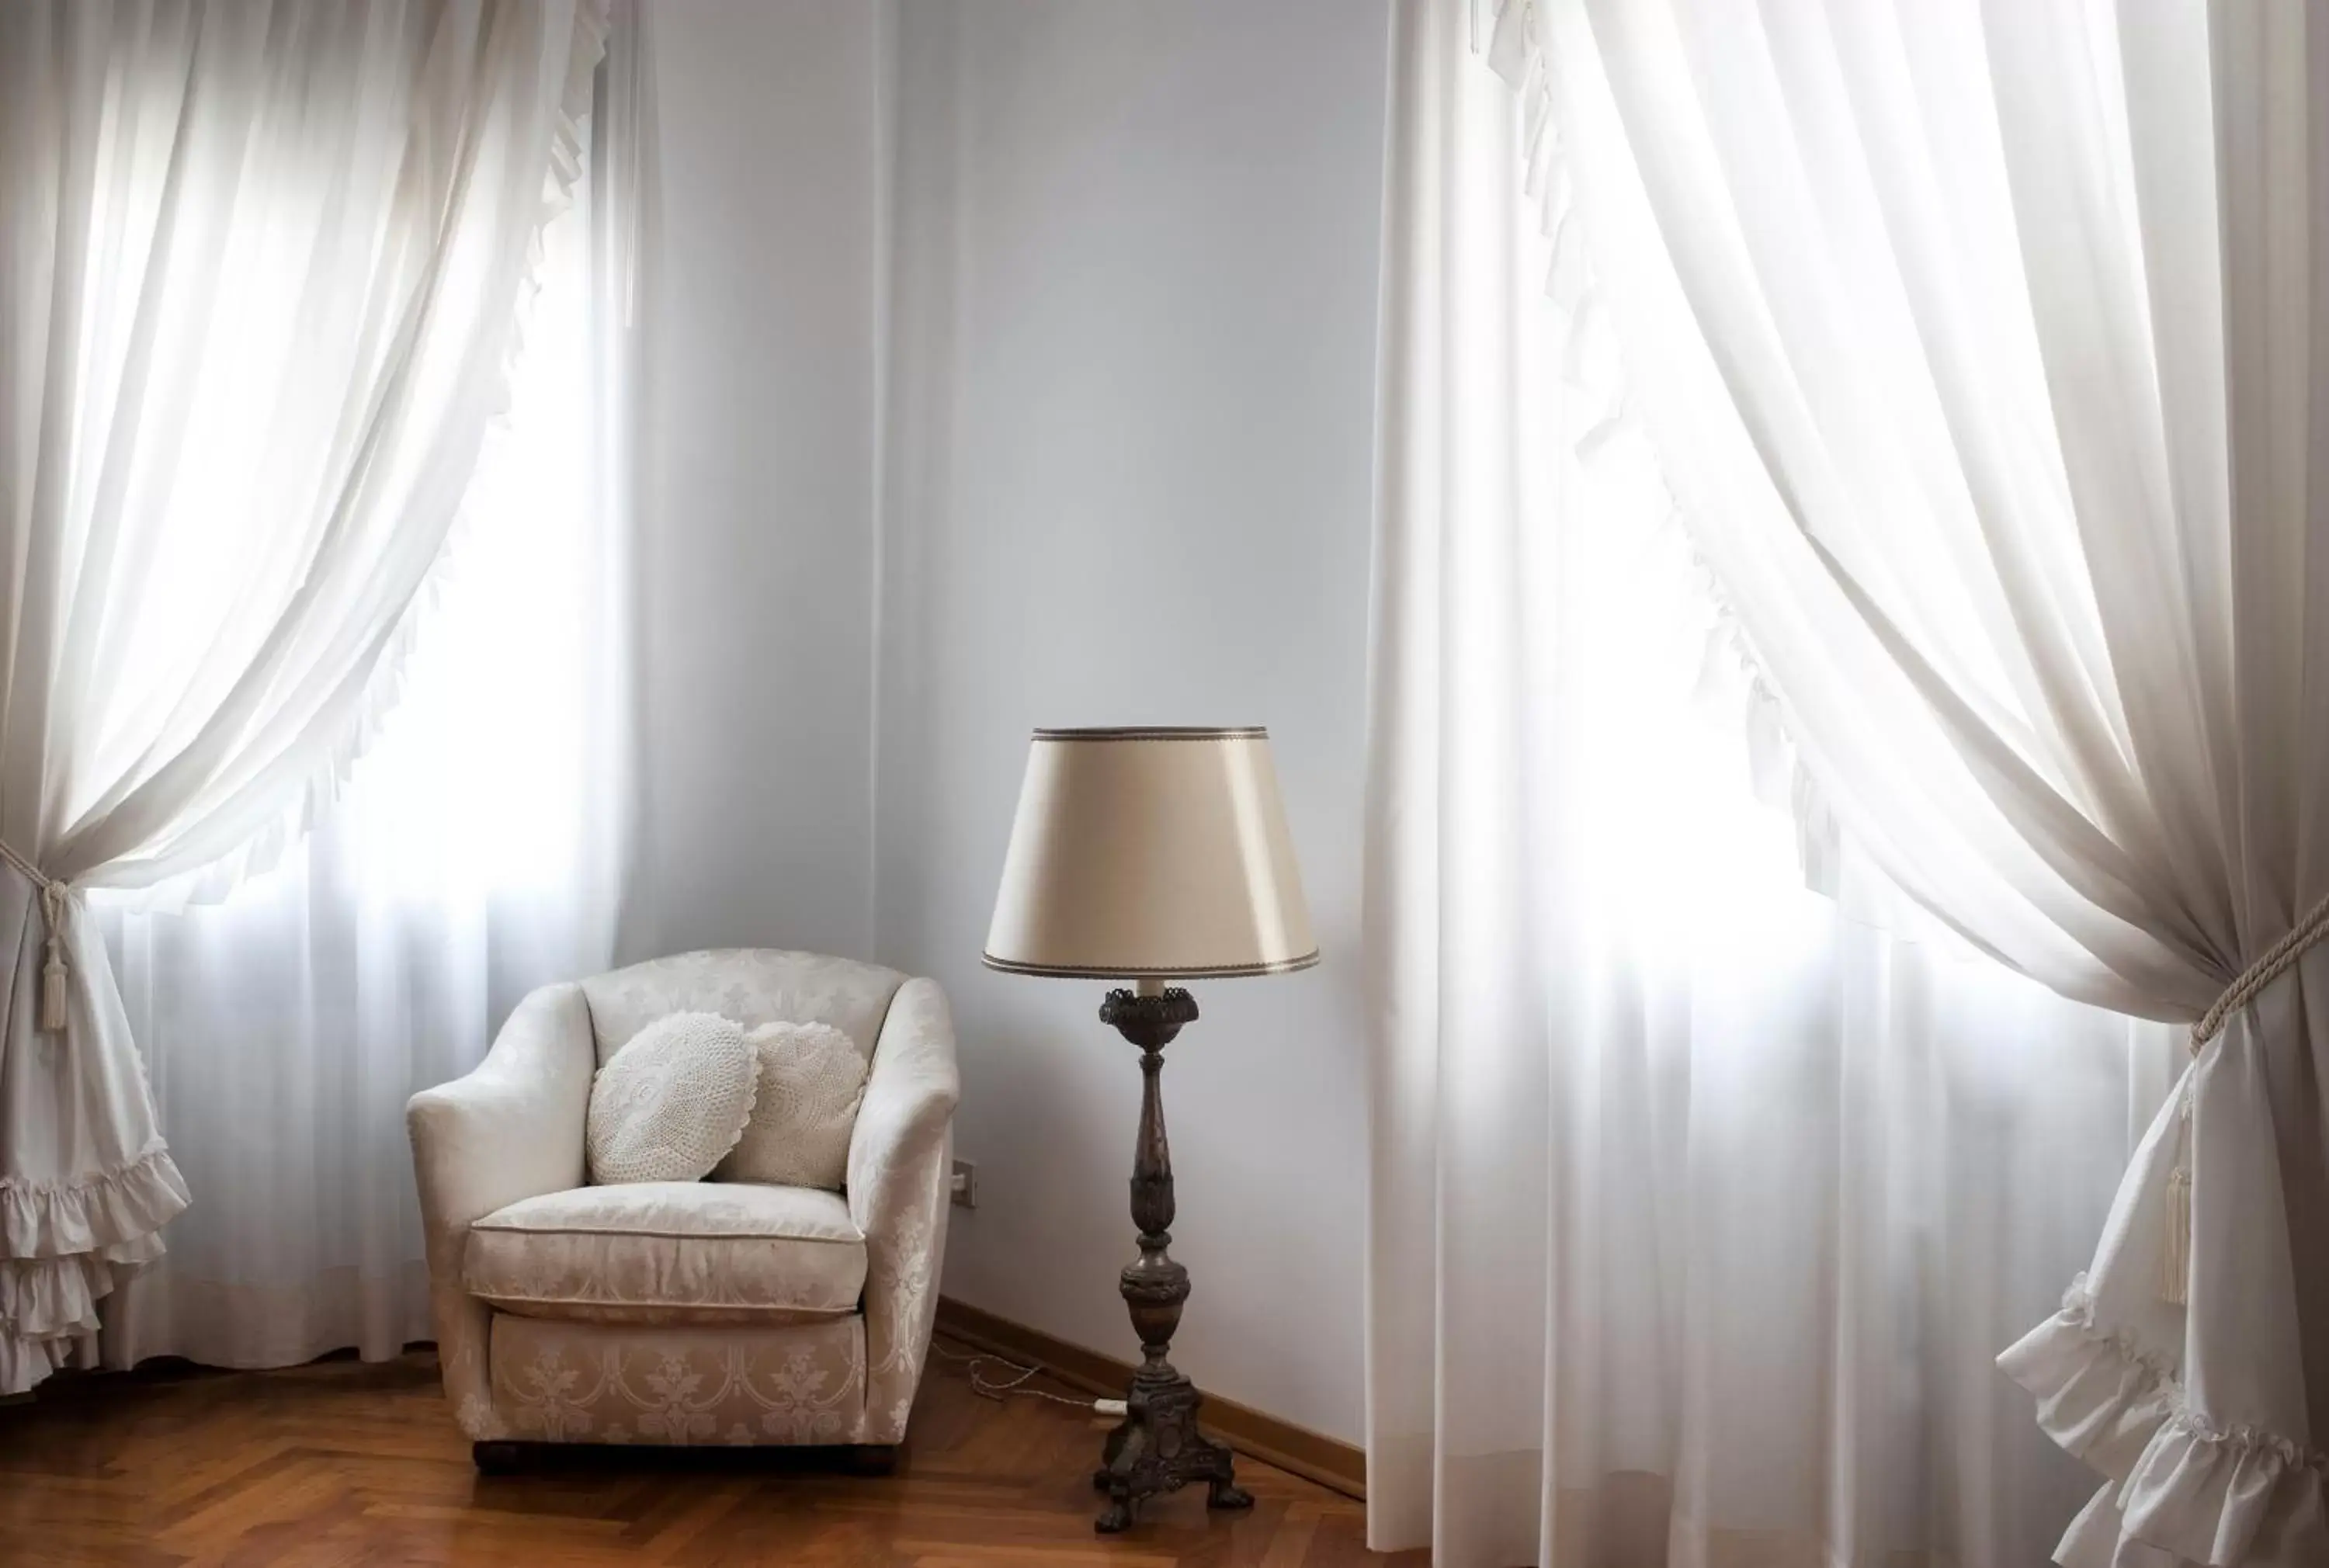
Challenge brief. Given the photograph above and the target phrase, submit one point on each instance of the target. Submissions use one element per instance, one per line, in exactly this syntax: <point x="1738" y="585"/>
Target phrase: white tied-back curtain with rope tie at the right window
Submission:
<point x="1978" y="348"/>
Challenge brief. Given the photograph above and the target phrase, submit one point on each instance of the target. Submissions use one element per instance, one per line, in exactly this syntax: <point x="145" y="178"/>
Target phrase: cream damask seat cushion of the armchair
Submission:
<point x="670" y="1252"/>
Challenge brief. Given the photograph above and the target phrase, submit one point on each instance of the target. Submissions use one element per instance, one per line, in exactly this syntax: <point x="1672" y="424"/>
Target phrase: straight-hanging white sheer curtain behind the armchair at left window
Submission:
<point x="474" y="856"/>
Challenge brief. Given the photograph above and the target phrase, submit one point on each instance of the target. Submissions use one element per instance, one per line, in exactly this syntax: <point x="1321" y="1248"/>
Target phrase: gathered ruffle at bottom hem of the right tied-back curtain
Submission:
<point x="2181" y="1483"/>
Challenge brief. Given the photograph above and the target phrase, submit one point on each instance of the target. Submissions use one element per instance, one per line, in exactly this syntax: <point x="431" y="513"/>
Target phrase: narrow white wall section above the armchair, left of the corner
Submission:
<point x="758" y="523"/>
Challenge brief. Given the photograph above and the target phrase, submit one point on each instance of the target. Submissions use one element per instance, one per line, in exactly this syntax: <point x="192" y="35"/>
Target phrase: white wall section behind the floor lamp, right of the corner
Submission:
<point x="1128" y="481"/>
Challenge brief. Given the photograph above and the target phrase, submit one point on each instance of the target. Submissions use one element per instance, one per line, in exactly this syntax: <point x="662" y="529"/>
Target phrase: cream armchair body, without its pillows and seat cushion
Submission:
<point x="514" y="1131"/>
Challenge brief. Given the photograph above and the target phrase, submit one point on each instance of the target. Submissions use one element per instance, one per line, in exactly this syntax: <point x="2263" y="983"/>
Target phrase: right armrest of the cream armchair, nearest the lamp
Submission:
<point x="898" y="1189"/>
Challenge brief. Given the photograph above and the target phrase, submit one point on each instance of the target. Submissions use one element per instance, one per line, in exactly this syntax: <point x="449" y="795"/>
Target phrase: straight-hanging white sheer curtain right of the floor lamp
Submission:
<point x="1701" y="1201"/>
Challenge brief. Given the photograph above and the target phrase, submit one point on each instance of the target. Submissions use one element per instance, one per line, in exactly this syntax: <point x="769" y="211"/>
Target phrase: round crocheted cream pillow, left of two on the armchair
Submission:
<point x="672" y="1101"/>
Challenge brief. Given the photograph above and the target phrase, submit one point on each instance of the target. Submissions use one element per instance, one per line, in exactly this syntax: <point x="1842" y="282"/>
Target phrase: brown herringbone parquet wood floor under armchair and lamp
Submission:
<point x="344" y="1464"/>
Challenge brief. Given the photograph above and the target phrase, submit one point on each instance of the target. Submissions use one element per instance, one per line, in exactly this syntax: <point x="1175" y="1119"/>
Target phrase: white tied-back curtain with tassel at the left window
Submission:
<point x="257" y="297"/>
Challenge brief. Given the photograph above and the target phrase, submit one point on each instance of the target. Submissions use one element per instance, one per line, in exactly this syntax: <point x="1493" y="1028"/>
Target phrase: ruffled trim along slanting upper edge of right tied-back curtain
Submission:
<point x="1506" y="34"/>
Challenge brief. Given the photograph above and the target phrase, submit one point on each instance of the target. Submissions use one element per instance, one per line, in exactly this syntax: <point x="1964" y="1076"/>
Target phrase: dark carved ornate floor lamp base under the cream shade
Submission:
<point x="1159" y="1446"/>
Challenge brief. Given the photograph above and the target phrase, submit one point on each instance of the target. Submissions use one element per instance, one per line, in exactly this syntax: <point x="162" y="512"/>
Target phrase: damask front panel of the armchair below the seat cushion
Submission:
<point x="590" y="1383"/>
